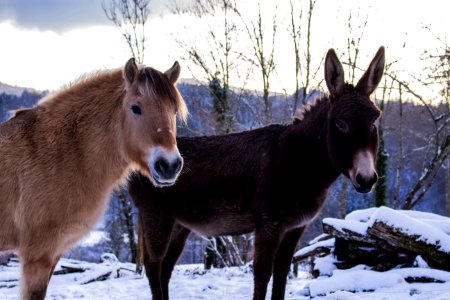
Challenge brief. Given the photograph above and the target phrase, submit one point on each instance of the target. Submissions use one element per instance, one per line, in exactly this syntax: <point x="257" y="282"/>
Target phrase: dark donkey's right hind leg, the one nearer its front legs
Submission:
<point x="176" y="246"/>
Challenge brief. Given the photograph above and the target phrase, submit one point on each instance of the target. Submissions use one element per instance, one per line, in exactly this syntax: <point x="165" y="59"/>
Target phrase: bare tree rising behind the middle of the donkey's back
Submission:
<point x="220" y="58"/>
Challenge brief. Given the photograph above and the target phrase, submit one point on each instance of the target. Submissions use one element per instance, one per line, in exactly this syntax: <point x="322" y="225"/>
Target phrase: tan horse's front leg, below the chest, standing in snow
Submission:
<point x="36" y="273"/>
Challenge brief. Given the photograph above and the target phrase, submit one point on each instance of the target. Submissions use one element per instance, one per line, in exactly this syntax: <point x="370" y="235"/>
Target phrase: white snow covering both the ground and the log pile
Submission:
<point x="193" y="282"/>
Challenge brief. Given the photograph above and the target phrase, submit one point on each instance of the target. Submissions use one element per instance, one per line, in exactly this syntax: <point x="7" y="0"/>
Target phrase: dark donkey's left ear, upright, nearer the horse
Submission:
<point x="334" y="74"/>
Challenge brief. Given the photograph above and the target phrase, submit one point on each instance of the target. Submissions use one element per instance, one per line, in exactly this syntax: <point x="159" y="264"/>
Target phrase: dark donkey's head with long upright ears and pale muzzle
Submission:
<point x="352" y="133"/>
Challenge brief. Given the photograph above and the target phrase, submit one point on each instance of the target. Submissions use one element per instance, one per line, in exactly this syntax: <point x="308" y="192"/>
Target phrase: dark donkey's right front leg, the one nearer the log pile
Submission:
<point x="283" y="261"/>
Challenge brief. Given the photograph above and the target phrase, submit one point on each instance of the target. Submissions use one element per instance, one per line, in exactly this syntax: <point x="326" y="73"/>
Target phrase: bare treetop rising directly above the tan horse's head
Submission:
<point x="130" y="16"/>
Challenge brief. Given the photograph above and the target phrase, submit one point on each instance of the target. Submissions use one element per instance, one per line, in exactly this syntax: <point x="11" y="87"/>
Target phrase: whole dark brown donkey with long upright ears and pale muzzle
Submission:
<point x="272" y="181"/>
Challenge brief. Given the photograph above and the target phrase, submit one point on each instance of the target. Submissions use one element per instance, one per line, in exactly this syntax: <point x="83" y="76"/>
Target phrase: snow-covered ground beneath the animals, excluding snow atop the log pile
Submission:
<point x="192" y="282"/>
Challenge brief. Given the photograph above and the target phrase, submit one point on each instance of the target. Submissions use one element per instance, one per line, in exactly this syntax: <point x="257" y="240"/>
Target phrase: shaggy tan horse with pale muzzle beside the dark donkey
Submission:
<point x="60" y="160"/>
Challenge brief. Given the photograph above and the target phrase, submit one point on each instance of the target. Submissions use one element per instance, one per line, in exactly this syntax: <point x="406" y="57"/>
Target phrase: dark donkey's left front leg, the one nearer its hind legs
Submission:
<point x="267" y="240"/>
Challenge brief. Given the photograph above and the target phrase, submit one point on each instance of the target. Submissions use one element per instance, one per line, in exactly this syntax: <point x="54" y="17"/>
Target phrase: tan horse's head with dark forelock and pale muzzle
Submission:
<point x="151" y="105"/>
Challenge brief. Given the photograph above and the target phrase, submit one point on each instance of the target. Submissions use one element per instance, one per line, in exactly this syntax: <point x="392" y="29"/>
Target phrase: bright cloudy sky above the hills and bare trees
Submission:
<point x="49" y="43"/>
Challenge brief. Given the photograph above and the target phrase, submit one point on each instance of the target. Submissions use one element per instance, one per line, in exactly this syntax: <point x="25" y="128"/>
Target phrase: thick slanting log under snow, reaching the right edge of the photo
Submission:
<point x="396" y="237"/>
